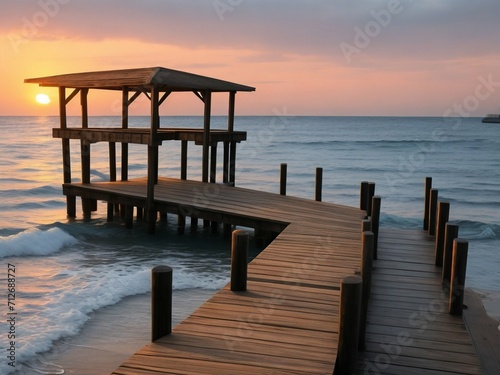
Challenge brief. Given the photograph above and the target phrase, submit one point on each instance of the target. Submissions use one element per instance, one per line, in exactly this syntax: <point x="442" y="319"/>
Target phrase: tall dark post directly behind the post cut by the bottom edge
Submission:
<point x="366" y="275"/>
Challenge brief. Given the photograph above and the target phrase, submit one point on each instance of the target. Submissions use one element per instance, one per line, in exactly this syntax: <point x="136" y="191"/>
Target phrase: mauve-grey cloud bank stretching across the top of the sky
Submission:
<point x="424" y="29"/>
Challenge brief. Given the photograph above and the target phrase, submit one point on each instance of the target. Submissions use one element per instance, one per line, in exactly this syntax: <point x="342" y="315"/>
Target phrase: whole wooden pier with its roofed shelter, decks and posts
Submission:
<point x="294" y="315"/>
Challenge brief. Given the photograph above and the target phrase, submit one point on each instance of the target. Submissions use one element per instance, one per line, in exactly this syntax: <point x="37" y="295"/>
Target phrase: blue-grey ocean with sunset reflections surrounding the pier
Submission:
<point x="65" y="272"/>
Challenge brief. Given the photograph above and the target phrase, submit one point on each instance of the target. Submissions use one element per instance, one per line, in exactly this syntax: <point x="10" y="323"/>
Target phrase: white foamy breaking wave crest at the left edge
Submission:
<point x="35" y="242"/>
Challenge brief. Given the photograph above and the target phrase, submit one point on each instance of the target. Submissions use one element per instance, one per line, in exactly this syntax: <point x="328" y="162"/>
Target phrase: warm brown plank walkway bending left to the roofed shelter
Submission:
<point x="287" y="321"/>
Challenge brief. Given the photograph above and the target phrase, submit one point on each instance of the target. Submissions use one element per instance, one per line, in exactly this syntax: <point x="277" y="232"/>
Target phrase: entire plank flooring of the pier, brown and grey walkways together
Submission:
<point x="287" y="321"/>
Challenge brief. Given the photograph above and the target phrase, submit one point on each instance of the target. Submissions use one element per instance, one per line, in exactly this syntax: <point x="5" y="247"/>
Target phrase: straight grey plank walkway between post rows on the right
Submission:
<point x="409" y="329"/>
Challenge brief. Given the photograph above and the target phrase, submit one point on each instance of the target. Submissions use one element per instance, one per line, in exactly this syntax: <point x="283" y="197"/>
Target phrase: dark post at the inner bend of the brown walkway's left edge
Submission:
<point x="239" y="260"/>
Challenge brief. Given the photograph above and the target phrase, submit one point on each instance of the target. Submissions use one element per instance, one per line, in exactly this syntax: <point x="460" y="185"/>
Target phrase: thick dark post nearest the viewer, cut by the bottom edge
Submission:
<point x="350" y="308"/>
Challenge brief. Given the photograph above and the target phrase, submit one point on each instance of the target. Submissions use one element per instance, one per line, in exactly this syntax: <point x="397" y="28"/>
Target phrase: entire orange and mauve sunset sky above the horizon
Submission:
<point x="341" y="57"/>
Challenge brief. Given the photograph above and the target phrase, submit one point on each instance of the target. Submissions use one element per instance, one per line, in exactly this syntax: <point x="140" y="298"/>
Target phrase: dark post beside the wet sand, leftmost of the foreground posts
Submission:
<point x="161" y="302"/>
